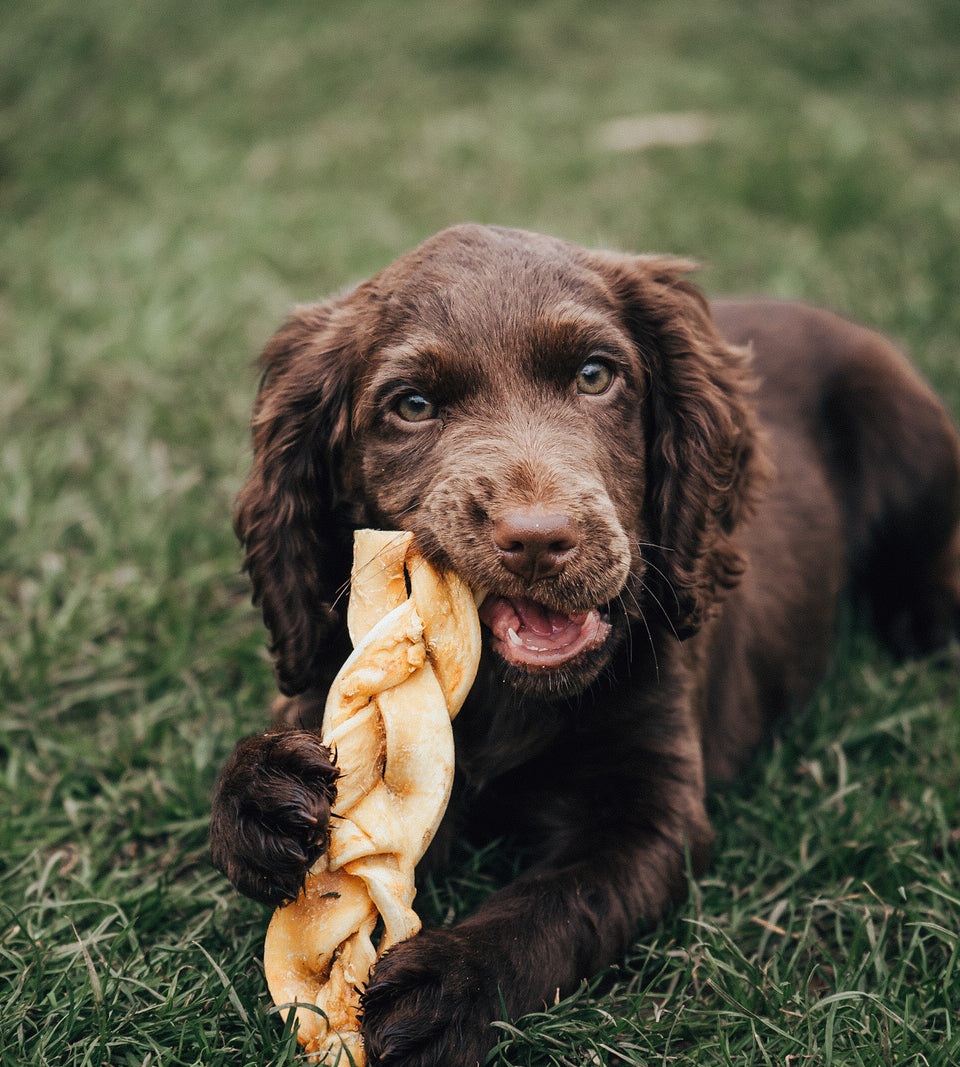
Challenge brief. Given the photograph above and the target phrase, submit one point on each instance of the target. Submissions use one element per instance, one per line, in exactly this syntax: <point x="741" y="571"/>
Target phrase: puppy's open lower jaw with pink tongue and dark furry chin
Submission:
<point x="546" y="654"/>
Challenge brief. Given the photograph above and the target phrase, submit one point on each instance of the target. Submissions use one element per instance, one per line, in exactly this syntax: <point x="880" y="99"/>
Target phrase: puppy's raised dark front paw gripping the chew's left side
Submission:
<point x="271" y="814"/>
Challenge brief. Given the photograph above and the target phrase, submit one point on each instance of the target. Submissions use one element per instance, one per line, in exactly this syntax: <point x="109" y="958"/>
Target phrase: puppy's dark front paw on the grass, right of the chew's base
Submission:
<point x="430" y="1002"/>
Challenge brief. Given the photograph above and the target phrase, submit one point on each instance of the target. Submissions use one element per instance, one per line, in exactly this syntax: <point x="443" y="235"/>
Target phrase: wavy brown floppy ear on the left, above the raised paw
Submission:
<point x="297" y="548"/>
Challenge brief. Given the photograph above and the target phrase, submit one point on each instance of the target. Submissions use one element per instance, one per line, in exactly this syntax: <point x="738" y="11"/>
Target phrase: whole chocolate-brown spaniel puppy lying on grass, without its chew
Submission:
<point x="664" y="501"/>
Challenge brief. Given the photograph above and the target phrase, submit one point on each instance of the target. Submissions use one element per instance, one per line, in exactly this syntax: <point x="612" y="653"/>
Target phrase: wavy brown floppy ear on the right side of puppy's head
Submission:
<point x="705" y="456"/>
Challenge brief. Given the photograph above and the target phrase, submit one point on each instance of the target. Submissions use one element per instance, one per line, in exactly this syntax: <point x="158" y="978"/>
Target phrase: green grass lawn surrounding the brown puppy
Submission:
<point x="171" y="180"/>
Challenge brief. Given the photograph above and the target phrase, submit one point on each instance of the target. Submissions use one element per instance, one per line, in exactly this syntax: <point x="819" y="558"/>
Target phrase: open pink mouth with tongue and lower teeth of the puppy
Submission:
<point x="534" y="635"/>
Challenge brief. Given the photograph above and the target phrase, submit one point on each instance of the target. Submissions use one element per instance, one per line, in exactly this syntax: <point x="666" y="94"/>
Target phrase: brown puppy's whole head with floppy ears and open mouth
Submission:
<point x="564" y="428"/>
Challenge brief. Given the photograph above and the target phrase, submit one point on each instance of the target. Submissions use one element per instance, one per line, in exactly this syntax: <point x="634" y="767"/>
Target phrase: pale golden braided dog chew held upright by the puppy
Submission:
<point x="389" y="720"/>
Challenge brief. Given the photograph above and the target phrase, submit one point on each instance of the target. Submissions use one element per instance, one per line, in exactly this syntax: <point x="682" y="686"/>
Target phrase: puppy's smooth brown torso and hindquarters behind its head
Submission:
<point x="866" y="497"/>
